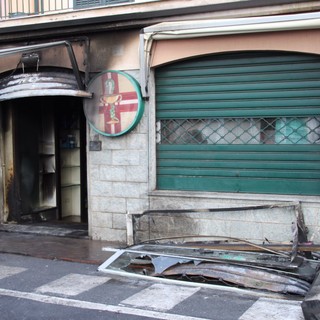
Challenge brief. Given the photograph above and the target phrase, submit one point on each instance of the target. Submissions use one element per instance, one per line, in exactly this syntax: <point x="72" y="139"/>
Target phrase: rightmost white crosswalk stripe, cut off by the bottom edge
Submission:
<point x="268" y="309"/>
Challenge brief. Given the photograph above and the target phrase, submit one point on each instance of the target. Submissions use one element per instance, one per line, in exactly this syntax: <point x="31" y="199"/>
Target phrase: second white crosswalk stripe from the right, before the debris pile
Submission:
<point x="160" y="297"/>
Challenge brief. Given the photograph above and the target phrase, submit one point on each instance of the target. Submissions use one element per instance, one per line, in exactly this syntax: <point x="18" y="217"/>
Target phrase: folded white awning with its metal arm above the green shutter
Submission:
<point x="217" y="27"/>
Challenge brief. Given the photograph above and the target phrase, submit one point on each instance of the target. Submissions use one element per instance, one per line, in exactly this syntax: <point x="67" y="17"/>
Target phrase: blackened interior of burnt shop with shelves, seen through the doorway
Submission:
<point x="49" y="156"/>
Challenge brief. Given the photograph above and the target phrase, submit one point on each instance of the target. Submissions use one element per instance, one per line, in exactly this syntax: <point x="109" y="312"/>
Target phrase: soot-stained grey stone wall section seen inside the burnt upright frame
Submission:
<point x="257" y="225"/>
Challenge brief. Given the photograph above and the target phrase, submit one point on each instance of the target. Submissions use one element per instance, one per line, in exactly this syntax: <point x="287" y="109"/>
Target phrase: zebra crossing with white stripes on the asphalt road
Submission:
<point x="153" y="300"/>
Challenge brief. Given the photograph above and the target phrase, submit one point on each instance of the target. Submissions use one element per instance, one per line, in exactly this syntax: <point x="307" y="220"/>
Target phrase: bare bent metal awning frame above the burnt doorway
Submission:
<point x="32" y="48"/>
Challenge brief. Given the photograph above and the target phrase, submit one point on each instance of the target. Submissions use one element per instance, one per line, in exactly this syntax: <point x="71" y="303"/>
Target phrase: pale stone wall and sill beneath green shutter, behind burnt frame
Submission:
<point x="272" y="224"/>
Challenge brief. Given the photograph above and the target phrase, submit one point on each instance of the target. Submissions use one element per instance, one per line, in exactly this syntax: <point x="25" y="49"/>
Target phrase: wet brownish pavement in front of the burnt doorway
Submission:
<point x="52" y="242"/>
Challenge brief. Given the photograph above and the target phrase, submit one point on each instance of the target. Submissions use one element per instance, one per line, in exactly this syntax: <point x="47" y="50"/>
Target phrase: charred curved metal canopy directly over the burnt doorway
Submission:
<point x="49" y="83"/>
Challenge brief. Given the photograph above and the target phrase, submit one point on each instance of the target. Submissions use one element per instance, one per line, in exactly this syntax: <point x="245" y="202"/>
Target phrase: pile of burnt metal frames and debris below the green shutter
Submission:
<point x="277" y="268"/>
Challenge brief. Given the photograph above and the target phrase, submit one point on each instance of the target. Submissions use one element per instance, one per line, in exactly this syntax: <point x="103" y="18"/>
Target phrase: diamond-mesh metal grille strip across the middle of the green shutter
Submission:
<point x="281" y="130"/>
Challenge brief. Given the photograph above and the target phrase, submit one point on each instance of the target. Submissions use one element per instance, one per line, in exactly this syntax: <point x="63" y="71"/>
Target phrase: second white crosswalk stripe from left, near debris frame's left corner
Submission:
<point x="72" y="284"/>
